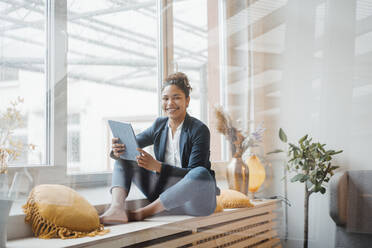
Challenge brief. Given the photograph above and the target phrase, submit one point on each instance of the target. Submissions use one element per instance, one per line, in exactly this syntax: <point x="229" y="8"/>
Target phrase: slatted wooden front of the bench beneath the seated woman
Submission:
<point x="248" y="227"/>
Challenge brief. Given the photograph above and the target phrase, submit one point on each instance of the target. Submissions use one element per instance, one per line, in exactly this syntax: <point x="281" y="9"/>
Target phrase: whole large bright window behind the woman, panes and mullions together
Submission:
<point x="109" y="70"/>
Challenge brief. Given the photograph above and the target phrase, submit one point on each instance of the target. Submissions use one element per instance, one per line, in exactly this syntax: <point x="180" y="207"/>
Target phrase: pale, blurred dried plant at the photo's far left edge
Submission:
<point x="10" y="150"/>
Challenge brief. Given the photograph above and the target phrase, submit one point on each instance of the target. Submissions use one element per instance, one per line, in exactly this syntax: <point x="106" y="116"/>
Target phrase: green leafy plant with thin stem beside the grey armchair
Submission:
<point x="310" y="163"/>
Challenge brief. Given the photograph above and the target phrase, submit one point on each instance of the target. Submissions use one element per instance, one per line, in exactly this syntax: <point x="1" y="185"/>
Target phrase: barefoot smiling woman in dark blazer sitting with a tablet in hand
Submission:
<point x="179" y="178"/>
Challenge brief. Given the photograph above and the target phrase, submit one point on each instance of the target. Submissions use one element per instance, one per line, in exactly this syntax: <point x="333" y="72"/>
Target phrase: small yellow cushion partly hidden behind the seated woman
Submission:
<point x="233" y="199"/>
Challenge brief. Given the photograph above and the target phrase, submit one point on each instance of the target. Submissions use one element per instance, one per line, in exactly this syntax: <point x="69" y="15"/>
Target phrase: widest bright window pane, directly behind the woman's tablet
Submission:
<point x="112" y="74"/>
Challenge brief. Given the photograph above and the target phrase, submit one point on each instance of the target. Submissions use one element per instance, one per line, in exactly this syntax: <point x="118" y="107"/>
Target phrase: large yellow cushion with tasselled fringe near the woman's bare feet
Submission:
<point x="57" y="211"/>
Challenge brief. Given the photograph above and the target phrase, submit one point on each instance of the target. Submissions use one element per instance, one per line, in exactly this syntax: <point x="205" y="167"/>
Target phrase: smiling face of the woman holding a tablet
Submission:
<point x="174" y="102"/>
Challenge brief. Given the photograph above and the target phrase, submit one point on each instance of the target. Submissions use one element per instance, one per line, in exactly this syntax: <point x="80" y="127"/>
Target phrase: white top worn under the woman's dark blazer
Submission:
<point x="172" y="151"/>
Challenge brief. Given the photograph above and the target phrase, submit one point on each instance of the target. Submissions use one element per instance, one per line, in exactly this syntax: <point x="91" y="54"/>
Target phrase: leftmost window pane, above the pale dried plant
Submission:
<point x="22" y="65"/>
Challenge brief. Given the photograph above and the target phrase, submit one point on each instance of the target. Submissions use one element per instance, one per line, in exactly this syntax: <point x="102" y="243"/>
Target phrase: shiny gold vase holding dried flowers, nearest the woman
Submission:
<point x="237" y="175"/>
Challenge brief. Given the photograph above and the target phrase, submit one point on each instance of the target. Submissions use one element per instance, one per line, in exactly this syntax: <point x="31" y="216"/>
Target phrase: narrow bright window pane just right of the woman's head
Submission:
<point x="190" y="37"/>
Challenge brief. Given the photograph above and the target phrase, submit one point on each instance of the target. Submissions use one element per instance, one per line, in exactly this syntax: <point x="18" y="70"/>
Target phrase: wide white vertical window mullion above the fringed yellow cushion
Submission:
<point x="56" y="93"/>
